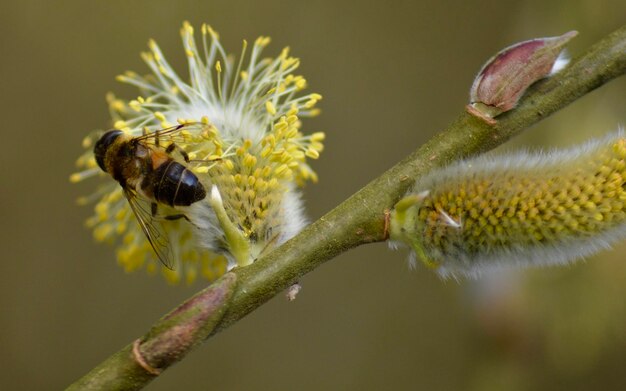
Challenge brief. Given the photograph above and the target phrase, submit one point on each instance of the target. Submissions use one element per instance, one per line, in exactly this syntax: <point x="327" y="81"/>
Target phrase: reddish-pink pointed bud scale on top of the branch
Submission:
<point x="505" y="77"/>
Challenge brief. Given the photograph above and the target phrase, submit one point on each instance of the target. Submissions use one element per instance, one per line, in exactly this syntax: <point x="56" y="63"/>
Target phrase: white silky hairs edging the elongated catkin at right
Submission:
<point x="557" y="252"/>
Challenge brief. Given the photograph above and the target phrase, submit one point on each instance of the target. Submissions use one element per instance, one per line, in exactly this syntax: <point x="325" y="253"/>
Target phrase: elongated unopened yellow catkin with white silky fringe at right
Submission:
<point x="522" y="209"/>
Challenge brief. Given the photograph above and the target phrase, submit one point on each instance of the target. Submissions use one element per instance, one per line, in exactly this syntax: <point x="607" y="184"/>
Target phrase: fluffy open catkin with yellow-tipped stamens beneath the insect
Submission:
<point x="255" y="157"/>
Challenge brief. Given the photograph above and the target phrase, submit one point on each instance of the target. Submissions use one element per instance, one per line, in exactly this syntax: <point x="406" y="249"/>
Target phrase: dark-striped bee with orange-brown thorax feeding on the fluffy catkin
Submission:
<point x="150" y="177"/>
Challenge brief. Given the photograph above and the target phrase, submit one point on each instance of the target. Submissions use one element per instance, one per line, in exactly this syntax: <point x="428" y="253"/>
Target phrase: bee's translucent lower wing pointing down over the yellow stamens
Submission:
<point x="153" y="228"/>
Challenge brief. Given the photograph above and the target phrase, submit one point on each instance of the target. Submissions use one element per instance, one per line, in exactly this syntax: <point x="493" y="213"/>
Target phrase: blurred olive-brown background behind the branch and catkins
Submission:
<point x="392" y="74"/>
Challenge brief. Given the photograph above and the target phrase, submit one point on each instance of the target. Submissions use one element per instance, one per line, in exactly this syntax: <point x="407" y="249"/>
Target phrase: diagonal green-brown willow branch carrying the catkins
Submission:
<point x="358" y="220"/>
